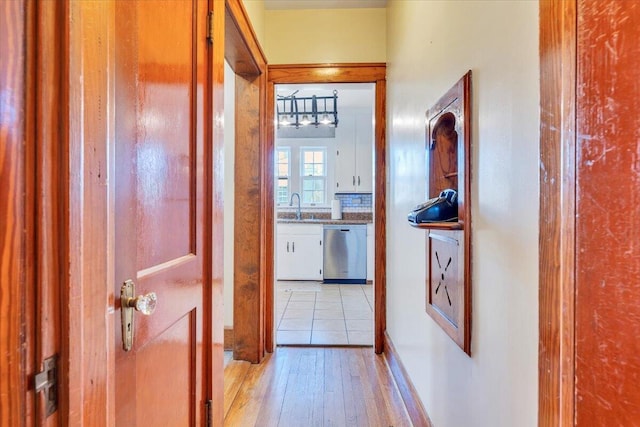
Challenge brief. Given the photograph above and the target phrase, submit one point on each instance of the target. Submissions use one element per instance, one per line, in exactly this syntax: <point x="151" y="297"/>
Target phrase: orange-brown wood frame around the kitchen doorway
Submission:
<point x="340" y="73"/>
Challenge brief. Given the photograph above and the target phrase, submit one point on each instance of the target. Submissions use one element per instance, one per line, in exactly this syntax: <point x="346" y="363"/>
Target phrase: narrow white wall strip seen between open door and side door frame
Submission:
<point x="229" y="188"/>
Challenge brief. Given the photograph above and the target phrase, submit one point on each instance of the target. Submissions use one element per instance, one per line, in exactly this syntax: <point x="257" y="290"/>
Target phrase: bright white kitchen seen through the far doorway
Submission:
<point x="324" y="214"/>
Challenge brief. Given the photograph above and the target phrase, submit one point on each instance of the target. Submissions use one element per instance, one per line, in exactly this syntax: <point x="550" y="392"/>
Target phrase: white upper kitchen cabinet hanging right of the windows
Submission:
<point x="354" y="160"/>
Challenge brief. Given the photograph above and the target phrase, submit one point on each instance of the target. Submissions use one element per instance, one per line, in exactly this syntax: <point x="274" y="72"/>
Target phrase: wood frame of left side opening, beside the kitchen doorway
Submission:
<point x="253" y="172"/>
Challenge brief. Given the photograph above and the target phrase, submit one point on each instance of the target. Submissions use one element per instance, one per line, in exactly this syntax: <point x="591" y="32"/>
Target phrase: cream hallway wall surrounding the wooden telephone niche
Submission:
<point x="430" y="45"/>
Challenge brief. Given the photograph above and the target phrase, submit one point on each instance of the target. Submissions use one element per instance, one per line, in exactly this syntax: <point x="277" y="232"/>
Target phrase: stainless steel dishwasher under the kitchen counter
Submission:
<point x="345" y="253"/>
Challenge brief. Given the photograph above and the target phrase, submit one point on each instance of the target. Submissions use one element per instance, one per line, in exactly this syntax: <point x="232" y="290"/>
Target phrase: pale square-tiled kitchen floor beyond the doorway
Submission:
<point x="314" y="313"/>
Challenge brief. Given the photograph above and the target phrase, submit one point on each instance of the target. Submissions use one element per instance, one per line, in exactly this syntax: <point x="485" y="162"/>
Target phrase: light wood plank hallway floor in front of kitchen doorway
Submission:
<point x="313" y="386"/>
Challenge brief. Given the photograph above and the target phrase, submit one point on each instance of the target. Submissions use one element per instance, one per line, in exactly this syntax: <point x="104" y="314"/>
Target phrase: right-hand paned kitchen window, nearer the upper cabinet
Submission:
<point x="313" y="175"/>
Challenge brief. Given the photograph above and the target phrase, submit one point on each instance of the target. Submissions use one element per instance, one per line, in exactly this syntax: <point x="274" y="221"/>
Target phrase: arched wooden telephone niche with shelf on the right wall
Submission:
<point x="448" y="258"/>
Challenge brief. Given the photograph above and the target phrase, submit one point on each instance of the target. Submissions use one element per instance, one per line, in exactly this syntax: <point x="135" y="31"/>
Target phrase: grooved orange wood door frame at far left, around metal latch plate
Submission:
<point x="32" y="274"/>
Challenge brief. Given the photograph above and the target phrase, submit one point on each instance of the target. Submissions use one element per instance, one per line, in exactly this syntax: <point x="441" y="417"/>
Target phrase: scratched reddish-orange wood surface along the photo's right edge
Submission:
<point x="607" y="263"/>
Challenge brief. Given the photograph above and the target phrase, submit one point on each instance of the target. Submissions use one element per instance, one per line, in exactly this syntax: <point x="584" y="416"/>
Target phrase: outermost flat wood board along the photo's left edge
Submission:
<point x="18" y="253"/>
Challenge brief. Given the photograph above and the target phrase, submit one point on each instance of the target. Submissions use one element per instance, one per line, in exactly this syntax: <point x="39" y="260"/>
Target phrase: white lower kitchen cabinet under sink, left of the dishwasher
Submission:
<point x="299" y="252"/>
